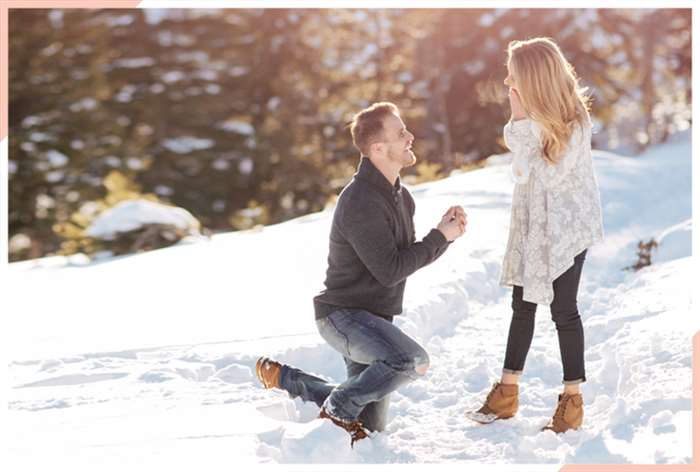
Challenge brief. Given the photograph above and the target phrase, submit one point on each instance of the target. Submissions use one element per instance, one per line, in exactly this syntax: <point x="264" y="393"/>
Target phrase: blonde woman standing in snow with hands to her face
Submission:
<point x="555" y="218"/>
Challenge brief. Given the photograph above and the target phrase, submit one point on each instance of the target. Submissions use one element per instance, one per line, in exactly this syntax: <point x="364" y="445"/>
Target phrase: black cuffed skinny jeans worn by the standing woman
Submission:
<point x="565" y="316"/>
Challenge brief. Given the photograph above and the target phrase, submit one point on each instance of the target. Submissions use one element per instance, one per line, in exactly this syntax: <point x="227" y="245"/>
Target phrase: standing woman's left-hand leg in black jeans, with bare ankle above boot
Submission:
<point x="522" y="328"/>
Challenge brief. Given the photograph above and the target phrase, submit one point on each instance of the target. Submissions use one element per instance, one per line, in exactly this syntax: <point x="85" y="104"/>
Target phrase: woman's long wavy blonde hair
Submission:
<point x="549" y="91"/>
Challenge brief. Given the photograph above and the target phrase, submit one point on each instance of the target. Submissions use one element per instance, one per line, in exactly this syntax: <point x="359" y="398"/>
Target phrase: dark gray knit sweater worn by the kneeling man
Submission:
<point x="373" y="246"/>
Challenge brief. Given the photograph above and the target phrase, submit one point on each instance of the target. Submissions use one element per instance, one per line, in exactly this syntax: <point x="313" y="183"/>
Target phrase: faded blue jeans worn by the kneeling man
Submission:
<point x="379" y="358"/>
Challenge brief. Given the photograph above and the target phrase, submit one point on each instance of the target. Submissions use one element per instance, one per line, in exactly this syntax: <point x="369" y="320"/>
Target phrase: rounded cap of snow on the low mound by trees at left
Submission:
<point x="132" y="214"/>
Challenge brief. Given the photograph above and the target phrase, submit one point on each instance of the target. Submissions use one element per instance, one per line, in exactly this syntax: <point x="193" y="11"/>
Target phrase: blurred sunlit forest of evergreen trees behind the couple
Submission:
<point x="239" y="115"/>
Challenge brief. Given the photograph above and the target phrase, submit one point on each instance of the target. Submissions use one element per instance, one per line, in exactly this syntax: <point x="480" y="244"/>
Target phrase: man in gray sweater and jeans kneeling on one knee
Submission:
<point x="373" y="249"/>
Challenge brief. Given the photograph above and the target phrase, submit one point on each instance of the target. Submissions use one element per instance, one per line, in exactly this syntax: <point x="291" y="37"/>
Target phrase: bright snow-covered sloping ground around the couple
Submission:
<point x="147" y="360"/>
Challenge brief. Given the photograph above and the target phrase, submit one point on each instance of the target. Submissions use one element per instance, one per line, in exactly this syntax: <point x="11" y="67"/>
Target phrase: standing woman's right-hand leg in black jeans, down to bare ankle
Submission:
<point x="565" y="315"/>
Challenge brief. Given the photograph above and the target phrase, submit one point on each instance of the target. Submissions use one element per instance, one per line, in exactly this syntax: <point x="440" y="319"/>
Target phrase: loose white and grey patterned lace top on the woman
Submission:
<point x="556" y="210"/>
